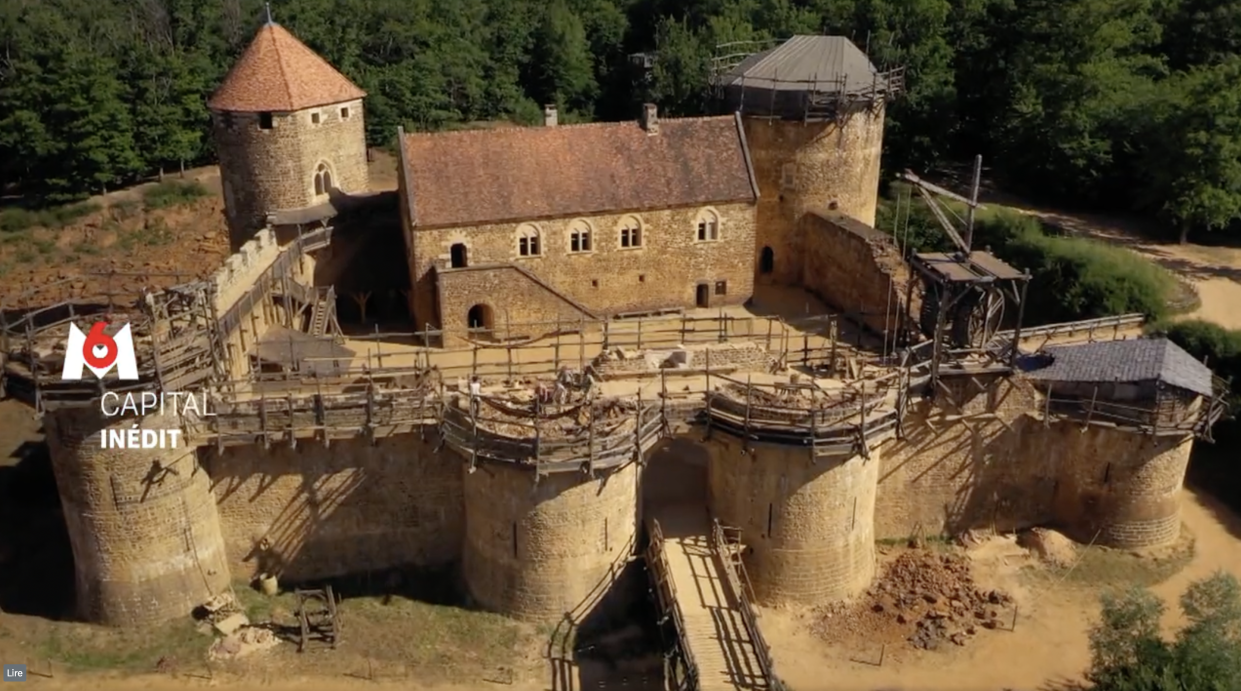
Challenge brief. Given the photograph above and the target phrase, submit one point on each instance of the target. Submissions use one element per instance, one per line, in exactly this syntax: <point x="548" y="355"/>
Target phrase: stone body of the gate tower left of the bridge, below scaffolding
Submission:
<point x="539" y="551"/>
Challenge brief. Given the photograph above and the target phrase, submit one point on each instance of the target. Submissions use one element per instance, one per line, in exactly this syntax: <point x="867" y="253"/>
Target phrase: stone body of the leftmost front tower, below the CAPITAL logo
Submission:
<point x="143" y="523"/>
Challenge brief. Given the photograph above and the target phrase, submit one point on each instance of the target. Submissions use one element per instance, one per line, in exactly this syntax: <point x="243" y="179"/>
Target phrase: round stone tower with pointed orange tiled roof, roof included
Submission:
<point x="289" y="132"/>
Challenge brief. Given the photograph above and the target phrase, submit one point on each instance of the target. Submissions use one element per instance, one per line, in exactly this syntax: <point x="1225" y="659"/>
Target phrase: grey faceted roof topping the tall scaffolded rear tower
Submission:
<point x="805" y="61"/>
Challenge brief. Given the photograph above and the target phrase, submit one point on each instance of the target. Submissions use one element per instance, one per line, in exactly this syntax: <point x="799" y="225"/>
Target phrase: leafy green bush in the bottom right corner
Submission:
<point x="1129" y="654"/>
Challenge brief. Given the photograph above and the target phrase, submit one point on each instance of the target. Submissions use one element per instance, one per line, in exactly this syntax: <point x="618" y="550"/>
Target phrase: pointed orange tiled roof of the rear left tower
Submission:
<point x="279" y="74"/>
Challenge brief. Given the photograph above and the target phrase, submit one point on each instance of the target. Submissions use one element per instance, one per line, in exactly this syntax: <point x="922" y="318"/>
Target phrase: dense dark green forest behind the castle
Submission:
<point x="1113" y="105"/>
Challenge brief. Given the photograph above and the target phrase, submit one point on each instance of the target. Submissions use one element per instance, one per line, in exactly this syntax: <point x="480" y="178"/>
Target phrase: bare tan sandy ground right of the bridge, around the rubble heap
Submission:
<point x="1048" y="649"/>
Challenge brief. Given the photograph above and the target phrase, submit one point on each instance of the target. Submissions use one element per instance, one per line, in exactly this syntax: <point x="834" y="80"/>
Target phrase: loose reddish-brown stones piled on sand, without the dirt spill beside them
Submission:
<point x="936" y="596"/>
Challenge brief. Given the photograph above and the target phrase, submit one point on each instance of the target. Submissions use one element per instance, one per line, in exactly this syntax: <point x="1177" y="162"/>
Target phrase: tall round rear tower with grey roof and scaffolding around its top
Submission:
<point x="813" y="114"/>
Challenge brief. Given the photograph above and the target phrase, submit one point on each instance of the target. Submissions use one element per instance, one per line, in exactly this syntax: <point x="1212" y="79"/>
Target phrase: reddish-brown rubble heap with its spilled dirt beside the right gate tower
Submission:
<point x="923" y="599"/>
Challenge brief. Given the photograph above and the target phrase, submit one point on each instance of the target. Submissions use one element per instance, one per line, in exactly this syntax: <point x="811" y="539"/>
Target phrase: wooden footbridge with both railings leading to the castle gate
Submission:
<point x="707" y="601"/>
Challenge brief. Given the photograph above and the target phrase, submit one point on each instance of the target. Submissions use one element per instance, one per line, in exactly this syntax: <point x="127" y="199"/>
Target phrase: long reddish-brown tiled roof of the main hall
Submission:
<point x="517" y="174"/>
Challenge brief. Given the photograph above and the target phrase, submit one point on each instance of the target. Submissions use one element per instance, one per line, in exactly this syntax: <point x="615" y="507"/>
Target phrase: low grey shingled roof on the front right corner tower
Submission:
<point x="1141" y="360"/>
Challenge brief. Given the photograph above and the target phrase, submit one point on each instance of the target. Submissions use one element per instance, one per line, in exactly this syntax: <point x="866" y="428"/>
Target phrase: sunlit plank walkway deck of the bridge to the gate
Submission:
<point x="715" y="633"/>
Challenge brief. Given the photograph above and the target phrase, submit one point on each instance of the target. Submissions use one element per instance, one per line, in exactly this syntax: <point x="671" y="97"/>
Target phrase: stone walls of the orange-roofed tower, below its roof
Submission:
<point x="267" y="171"/>
